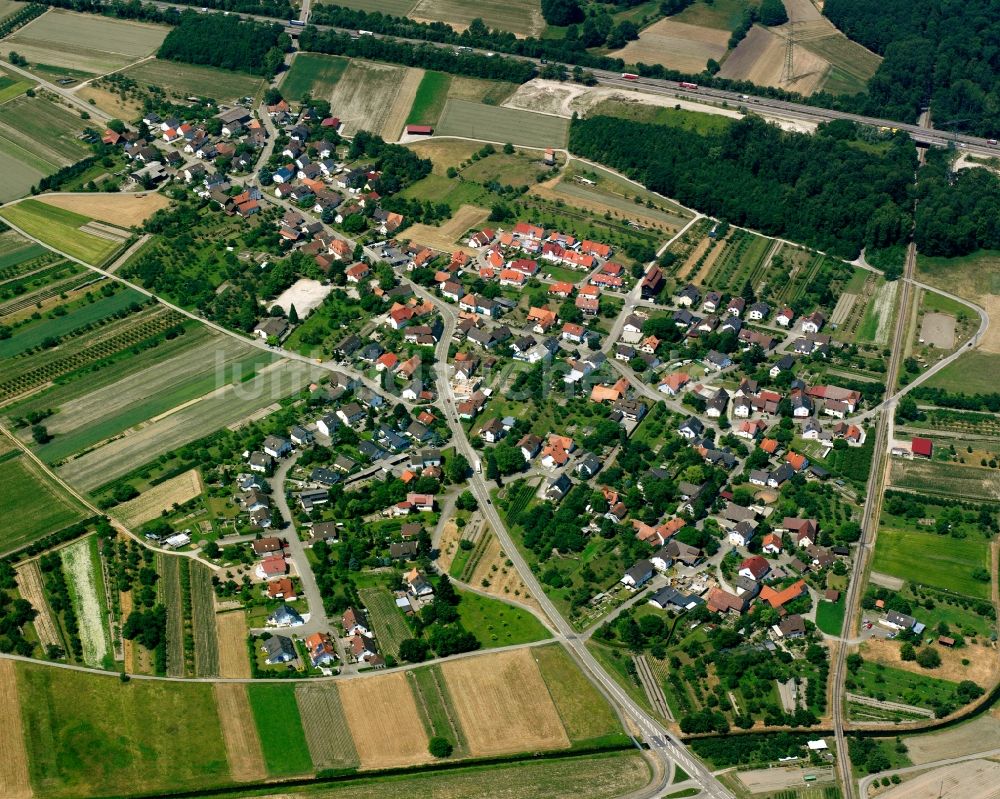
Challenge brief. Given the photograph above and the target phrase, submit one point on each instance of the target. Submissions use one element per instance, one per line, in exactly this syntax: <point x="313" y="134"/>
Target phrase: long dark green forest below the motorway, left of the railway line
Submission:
<point x="815" y="189"/>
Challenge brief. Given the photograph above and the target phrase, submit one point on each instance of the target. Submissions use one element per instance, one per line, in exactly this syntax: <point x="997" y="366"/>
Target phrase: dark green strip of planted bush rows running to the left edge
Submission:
<point x="107" y="342"/>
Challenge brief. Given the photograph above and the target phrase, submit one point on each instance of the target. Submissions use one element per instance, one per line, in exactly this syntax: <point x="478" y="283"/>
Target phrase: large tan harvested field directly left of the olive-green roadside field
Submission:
<point x="503" y="705"/>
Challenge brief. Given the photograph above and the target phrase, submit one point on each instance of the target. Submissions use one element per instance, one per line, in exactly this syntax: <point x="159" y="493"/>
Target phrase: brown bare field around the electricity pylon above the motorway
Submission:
<point x="760" y="58"/>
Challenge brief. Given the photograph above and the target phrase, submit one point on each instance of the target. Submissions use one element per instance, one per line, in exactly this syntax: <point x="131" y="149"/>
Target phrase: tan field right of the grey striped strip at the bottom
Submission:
<point x="384" y="721"/>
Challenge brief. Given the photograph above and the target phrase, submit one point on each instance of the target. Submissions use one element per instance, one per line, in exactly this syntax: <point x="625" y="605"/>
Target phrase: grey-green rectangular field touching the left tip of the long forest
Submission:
<point x="477" y="121"/>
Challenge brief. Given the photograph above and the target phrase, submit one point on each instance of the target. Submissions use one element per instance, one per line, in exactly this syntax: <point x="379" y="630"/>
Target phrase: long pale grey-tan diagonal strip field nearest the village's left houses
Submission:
<point x="191" y="421"/>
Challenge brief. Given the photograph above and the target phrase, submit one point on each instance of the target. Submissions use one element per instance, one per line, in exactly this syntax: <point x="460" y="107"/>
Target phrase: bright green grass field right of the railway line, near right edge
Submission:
<point x="906" y="553"/>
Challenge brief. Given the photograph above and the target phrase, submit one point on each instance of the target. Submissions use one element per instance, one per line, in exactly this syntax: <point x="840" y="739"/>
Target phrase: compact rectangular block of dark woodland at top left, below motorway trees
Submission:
<point x="218" y="40"/>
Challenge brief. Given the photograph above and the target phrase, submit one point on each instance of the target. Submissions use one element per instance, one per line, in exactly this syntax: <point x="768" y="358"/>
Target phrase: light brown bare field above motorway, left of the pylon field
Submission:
<point x="676" y="45"/>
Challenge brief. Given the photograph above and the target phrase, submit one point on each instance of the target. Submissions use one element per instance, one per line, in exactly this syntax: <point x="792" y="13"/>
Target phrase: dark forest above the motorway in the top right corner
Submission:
<point x="938" y="51"/>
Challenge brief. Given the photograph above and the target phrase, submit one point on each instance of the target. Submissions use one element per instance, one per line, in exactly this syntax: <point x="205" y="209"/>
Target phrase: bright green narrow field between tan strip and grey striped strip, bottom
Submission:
<point x="282" y="738"/>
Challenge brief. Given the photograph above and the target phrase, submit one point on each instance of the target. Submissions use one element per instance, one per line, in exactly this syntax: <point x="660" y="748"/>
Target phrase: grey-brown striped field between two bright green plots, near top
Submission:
<point x="365" y="95"/>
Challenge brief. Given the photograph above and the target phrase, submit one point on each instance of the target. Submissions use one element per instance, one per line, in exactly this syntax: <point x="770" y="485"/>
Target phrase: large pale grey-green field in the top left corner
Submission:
<point x="84" y="42"/>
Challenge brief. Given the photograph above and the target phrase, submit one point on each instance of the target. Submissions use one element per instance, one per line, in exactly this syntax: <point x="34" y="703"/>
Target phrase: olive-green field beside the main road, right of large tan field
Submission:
<point x="585" y="713"/>
